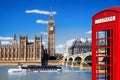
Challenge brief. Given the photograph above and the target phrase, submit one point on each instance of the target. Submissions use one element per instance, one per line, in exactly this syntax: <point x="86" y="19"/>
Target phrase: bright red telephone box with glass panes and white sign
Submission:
<point x="106" y="44"/>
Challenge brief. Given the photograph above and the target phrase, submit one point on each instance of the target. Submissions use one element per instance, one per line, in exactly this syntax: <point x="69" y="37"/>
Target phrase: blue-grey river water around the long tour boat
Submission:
<point x="68" y="73"/>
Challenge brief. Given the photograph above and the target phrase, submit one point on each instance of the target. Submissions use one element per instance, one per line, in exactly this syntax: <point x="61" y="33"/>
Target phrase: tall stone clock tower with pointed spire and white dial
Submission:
<point x="51" y="35"/>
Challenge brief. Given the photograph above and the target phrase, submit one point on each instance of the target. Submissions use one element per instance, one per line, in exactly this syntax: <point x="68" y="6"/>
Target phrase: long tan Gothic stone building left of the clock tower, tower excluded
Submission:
<point x="23" y="51"/>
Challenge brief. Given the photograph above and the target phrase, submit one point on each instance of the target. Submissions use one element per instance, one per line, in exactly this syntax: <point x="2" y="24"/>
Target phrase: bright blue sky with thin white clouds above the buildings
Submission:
<point x="72" y="18"/>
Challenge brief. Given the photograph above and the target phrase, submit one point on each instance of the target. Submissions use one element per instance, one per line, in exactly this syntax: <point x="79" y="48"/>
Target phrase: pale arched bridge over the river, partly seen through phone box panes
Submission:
<point x="82" y="61"/>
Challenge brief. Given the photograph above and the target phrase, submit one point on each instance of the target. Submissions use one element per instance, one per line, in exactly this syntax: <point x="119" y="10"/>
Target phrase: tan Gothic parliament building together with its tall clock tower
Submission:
<point x="28" y="53"/>
